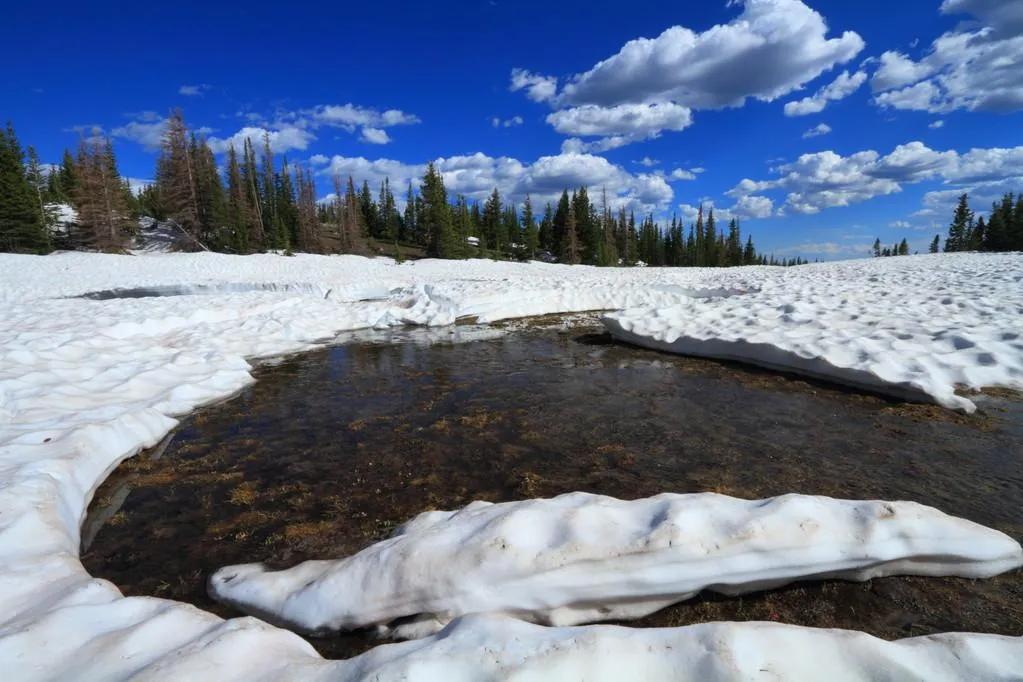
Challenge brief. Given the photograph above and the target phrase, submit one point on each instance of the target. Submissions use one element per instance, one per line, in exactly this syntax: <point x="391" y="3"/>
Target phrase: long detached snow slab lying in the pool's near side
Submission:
<point x="581" y="558"/>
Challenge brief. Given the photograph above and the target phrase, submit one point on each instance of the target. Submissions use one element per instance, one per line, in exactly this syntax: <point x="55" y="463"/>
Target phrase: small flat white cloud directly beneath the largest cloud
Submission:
<point x="621" y="124"/>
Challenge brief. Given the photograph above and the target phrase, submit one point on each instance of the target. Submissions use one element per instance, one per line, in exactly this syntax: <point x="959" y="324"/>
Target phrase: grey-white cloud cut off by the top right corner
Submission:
<point x="976" y="67"/>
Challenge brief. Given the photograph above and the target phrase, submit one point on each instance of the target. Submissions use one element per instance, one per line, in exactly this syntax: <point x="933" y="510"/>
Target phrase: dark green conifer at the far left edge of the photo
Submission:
<point x="22" y="228"/>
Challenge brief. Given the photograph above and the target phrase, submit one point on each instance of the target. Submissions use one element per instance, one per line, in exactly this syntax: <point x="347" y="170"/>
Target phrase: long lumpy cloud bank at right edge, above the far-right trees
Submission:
<point x="826" y="179"/>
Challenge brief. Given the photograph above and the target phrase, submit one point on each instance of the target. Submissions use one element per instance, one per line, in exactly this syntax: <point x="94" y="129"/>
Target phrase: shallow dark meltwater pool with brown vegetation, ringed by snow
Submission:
<point x="331" y="450"/>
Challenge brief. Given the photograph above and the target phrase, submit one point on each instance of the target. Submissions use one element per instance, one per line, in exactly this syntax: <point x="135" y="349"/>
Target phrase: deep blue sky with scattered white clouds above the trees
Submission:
<point x="821" y="125"/>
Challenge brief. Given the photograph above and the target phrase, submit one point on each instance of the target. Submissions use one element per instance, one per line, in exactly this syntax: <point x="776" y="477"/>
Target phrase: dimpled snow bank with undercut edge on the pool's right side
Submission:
<point x="914" y="331"/>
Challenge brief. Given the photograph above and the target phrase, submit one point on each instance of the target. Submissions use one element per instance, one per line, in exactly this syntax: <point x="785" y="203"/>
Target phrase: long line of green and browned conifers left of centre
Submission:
<point x="259" y="203"/>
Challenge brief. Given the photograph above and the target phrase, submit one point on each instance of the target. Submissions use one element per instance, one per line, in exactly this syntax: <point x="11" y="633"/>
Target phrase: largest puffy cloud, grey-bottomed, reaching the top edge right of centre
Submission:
<point x="771" y="50"/>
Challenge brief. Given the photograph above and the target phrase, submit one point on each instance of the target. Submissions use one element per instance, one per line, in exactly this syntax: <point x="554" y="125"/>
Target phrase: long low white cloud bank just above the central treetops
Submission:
<point x="475" y="176"/>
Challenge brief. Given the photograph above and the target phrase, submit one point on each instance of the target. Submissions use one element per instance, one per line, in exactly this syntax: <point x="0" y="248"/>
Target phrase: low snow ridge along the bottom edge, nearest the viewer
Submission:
<point x="481" y="649"/>
